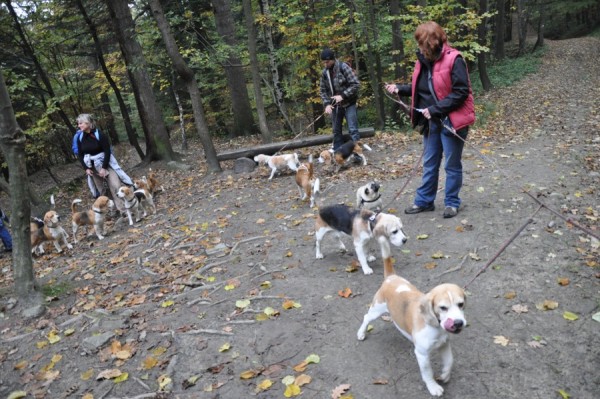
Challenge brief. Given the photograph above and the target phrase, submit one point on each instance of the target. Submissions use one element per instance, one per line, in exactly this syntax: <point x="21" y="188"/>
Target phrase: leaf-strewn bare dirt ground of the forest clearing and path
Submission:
<point x="181" y="297"/>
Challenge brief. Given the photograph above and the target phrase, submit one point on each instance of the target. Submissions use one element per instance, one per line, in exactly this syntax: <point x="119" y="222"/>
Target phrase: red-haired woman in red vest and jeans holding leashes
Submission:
<point x="441" y="95"/>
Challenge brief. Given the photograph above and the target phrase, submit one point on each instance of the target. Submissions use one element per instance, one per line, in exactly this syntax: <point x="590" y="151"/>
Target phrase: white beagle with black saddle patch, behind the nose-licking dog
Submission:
<point x="361" y="225"/>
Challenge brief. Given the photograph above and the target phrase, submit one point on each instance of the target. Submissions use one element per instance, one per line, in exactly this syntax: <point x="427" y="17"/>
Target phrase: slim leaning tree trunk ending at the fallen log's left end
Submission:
<point x="189" y="79"/>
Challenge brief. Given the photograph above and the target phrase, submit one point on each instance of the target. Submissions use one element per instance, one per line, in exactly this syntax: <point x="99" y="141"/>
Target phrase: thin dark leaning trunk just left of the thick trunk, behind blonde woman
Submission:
<point x="131" y="136"/>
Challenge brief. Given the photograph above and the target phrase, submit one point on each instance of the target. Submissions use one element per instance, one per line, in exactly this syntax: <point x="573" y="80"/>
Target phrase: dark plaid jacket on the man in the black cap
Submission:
<point x="344" y="82"/>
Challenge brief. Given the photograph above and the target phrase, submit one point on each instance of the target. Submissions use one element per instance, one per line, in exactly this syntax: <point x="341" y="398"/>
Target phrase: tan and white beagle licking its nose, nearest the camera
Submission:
<point x="425" y="319"/>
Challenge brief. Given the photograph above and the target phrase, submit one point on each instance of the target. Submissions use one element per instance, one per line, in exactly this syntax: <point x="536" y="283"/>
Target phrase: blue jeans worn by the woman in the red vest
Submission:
<point x="439" y="141"/>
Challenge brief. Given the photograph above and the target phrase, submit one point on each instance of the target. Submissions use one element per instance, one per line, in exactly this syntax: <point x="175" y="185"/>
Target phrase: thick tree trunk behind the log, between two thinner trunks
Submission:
<point x="243" y="121"/>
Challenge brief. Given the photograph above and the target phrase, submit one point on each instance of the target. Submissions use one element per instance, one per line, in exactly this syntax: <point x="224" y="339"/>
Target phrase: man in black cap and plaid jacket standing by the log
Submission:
<point x="339" y="92"/>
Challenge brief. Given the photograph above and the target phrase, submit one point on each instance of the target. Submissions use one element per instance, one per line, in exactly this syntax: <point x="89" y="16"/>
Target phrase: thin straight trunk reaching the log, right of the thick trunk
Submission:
<point x="256" y="81"/>
